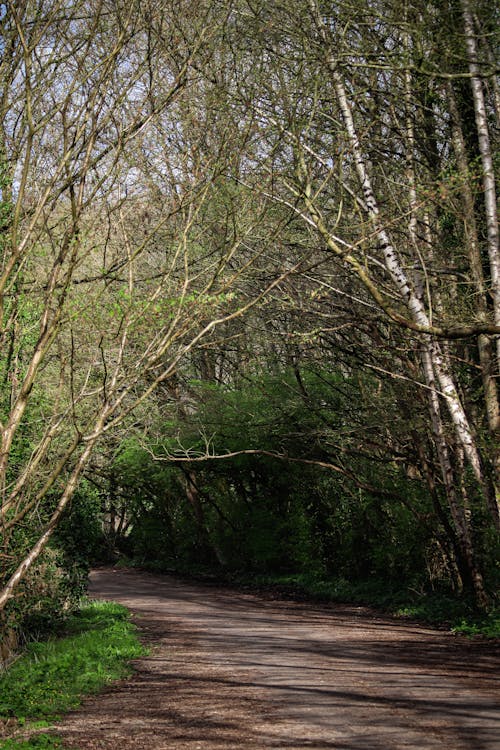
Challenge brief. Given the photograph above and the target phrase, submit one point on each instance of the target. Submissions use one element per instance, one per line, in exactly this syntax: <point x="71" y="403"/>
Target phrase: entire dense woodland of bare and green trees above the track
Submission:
<point x="249" y="292"/>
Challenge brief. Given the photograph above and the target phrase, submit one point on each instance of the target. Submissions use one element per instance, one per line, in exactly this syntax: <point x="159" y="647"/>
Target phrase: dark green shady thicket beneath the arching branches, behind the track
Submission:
<point x="293" y="490"/>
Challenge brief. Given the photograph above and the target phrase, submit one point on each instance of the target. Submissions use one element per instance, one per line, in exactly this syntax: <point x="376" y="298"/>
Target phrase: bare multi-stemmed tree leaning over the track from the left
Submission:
<point x="101" y="131"/>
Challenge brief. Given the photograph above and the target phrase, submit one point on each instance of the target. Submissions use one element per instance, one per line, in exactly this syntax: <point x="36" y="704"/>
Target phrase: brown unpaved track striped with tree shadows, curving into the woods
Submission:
<point x="229" y="669"/>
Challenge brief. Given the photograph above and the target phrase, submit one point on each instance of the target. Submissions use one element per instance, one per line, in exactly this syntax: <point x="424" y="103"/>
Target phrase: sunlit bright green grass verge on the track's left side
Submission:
<point x="52" y="676"/>
